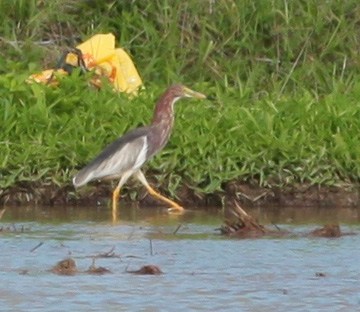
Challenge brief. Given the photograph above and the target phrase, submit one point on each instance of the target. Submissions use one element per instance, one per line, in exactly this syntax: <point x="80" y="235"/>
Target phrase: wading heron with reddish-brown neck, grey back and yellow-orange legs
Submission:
<point x="124" y="157"/>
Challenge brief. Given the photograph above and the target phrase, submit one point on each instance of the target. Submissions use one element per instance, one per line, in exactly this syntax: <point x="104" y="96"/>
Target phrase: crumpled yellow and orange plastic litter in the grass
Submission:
<point x="100" y="55"/>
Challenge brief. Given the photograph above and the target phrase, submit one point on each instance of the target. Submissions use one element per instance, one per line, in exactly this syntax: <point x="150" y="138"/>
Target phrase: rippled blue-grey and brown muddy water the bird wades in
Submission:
<point x="202" y="271"/>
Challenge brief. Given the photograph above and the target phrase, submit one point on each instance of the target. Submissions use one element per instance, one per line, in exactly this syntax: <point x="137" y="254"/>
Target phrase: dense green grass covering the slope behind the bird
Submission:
<point x="286" y="74"/>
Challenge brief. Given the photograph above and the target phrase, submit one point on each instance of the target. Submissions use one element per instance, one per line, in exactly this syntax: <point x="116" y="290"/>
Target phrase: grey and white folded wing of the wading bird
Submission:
<point x="127" y="152"/>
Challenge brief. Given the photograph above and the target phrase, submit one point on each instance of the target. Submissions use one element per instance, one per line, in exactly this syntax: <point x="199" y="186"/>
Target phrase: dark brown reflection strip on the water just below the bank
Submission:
<point x="159" y="215"/>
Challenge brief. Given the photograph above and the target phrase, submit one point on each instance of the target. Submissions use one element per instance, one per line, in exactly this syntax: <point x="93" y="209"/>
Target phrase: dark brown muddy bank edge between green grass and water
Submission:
<point x="248" y="195"/>
